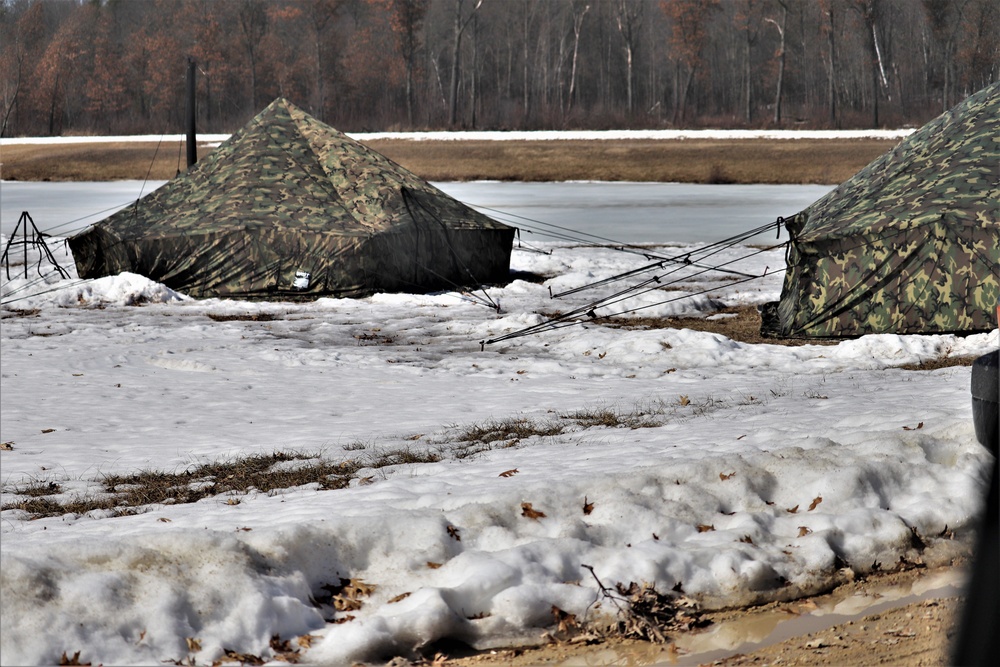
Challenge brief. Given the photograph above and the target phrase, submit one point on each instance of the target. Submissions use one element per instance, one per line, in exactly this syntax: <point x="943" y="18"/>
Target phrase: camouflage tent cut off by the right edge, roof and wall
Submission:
<point x="910" y="244"/>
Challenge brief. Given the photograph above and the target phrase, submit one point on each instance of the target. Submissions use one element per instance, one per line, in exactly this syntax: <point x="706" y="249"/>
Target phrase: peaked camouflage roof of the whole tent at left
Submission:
<point x="286" y="169"/>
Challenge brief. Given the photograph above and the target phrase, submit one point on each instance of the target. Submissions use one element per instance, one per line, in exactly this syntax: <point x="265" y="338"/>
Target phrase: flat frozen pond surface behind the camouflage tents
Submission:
<point x="623" y="212"/>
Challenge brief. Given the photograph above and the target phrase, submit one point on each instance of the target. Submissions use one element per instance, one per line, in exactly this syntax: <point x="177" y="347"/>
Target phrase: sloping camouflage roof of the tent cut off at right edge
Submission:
<point x="947" y="170"/>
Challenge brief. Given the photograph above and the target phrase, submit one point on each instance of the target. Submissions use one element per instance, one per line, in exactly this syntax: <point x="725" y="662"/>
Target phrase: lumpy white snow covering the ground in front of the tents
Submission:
<point x="735" y="473"/>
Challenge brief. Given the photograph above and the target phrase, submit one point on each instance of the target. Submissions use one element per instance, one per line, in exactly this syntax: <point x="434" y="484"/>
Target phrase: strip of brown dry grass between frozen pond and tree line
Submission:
<point x="825" y="161"/>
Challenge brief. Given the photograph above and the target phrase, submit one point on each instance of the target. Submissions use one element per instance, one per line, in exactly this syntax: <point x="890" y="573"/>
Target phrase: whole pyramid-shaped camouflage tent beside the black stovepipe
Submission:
<point x="289" y="206"/>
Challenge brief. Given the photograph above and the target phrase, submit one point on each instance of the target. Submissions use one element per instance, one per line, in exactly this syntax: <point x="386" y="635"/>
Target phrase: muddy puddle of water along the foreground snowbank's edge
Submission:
<point x="755" y="631"/>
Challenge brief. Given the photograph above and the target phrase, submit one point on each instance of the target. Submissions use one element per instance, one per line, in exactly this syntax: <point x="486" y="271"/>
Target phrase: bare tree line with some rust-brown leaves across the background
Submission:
<point x="118" y="66"/>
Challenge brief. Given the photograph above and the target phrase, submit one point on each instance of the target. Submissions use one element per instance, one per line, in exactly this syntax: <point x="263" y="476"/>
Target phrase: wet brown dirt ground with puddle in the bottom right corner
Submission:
<point x="917" y="629"/>
